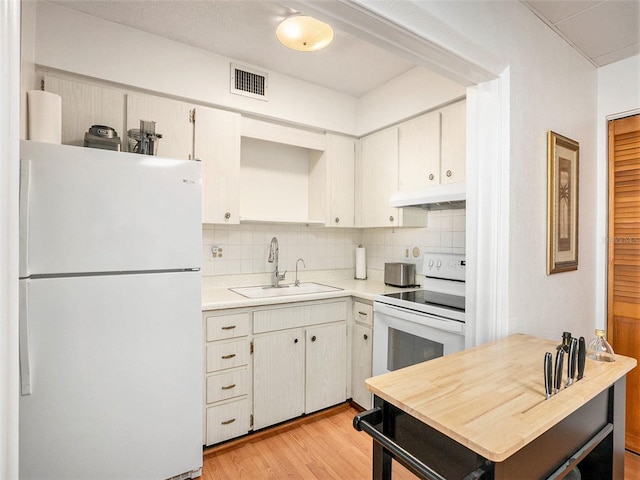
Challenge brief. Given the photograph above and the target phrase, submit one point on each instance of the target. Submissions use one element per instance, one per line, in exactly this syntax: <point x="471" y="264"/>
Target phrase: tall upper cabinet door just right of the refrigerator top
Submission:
<point x="217" y="145"/>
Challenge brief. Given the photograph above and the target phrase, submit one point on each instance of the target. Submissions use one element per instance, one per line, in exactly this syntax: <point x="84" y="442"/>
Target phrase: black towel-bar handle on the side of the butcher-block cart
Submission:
<point x="366" y="422"/>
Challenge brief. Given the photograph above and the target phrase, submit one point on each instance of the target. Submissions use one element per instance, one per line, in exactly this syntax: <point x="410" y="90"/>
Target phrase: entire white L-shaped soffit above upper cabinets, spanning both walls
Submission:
<point x="201" y="76"/>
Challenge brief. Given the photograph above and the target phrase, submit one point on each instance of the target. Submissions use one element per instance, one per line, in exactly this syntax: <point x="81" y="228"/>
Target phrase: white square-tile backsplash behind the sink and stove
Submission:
<point x="243" y="249"/>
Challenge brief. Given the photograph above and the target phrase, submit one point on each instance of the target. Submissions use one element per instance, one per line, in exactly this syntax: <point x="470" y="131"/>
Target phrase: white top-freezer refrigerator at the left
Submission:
<point x="110" y="329"/>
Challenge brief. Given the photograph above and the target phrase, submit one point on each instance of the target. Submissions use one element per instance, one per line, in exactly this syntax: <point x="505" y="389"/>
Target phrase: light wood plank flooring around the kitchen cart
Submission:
<point x="323" y="446"/>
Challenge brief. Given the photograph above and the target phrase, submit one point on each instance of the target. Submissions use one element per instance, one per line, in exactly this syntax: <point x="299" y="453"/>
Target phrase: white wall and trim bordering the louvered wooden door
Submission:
<point x="618" y="96"/>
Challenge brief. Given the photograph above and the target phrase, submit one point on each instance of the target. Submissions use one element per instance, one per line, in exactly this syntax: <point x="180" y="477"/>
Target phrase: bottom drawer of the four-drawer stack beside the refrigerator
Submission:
<point x="227" y="421"/>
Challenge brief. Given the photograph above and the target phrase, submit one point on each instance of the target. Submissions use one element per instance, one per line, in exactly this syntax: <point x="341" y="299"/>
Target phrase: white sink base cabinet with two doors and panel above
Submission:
<point x="301" y="369"/>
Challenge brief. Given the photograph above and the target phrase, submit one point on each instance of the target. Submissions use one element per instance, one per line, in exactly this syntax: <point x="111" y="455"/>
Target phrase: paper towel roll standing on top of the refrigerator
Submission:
<point x="44" y="116"/>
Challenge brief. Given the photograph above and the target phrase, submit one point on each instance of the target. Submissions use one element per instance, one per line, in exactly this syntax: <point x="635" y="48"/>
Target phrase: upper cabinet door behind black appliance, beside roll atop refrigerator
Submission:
<point x="85" y="105"/>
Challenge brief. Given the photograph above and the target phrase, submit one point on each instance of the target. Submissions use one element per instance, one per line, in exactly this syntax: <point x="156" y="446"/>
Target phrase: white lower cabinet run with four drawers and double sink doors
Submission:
<point x="299" y="365"/>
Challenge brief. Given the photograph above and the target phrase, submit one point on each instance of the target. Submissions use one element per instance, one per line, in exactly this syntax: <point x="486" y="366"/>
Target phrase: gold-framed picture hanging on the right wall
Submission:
<point x="562" y="203"/>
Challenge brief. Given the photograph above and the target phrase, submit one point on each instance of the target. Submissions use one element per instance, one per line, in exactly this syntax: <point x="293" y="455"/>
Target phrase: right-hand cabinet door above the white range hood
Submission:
<point x="454" y="143"/>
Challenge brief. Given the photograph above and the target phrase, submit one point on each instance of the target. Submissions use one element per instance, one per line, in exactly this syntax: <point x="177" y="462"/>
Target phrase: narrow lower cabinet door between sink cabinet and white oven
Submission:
<point x="361" y="365"/>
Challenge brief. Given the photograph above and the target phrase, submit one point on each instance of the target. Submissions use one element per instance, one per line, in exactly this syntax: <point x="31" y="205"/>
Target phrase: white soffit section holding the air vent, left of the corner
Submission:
<point x="177" y="69"/>
